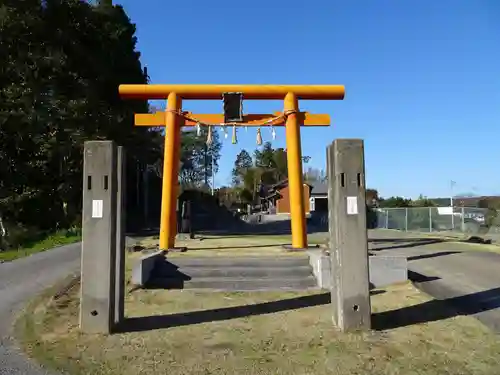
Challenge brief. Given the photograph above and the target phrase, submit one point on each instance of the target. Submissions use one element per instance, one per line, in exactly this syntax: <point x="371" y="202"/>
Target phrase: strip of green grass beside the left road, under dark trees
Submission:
<point x="56" y="239"/>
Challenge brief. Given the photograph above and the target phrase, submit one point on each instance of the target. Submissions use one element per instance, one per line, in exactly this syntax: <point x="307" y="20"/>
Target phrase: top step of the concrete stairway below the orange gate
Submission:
<point x="242" y="262"/>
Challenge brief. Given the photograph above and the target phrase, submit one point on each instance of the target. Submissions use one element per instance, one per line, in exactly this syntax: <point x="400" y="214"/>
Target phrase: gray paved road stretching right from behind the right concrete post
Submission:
<point x="460" y="273"/>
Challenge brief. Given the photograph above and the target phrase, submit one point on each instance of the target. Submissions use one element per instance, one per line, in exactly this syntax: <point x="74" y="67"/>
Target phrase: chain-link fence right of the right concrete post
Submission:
<point x="480" y="221"/>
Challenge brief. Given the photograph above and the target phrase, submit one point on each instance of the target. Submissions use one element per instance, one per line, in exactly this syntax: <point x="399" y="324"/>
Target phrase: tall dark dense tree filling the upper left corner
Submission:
<point x="62" y="62"/>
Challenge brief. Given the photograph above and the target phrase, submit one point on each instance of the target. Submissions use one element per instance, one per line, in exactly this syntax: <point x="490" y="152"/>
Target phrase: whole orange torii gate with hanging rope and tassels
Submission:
<point x="174" y="118"/>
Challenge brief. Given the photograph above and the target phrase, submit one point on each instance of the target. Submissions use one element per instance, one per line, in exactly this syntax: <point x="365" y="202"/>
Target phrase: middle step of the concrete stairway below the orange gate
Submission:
<point x="245" y="272"/>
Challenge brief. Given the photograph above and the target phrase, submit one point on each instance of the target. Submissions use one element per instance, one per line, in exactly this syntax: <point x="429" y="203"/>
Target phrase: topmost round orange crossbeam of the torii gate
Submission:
<point x="206" y="92"/>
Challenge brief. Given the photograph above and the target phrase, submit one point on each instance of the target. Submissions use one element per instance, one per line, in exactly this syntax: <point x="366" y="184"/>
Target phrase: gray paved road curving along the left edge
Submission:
<point x="21" y="280"/>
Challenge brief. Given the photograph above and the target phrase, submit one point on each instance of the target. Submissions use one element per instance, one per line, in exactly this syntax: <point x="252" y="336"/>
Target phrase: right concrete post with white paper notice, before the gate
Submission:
<point x="348" y="235"/>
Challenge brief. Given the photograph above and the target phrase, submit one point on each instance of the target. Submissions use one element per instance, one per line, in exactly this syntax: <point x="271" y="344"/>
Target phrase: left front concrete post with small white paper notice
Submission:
<point x="98" y="276"/>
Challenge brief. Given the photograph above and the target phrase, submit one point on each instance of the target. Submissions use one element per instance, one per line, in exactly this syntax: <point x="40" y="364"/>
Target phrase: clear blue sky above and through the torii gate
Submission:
<point x="422" y="78"/>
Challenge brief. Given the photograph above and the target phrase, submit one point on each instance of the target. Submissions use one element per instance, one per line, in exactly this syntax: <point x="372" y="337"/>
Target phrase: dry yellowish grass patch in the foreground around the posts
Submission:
<point x="240" y="333"/>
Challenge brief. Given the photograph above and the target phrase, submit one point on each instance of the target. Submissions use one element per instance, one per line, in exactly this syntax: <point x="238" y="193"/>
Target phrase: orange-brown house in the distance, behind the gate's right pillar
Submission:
<point x="277" y="199"/>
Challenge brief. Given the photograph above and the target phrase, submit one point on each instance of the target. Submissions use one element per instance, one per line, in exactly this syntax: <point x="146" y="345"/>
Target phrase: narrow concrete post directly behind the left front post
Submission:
<point x="120" y="236"/>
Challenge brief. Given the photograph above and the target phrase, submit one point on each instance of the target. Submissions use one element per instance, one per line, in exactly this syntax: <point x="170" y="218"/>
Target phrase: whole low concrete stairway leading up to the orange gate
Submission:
<point x="235" y="273"/>
